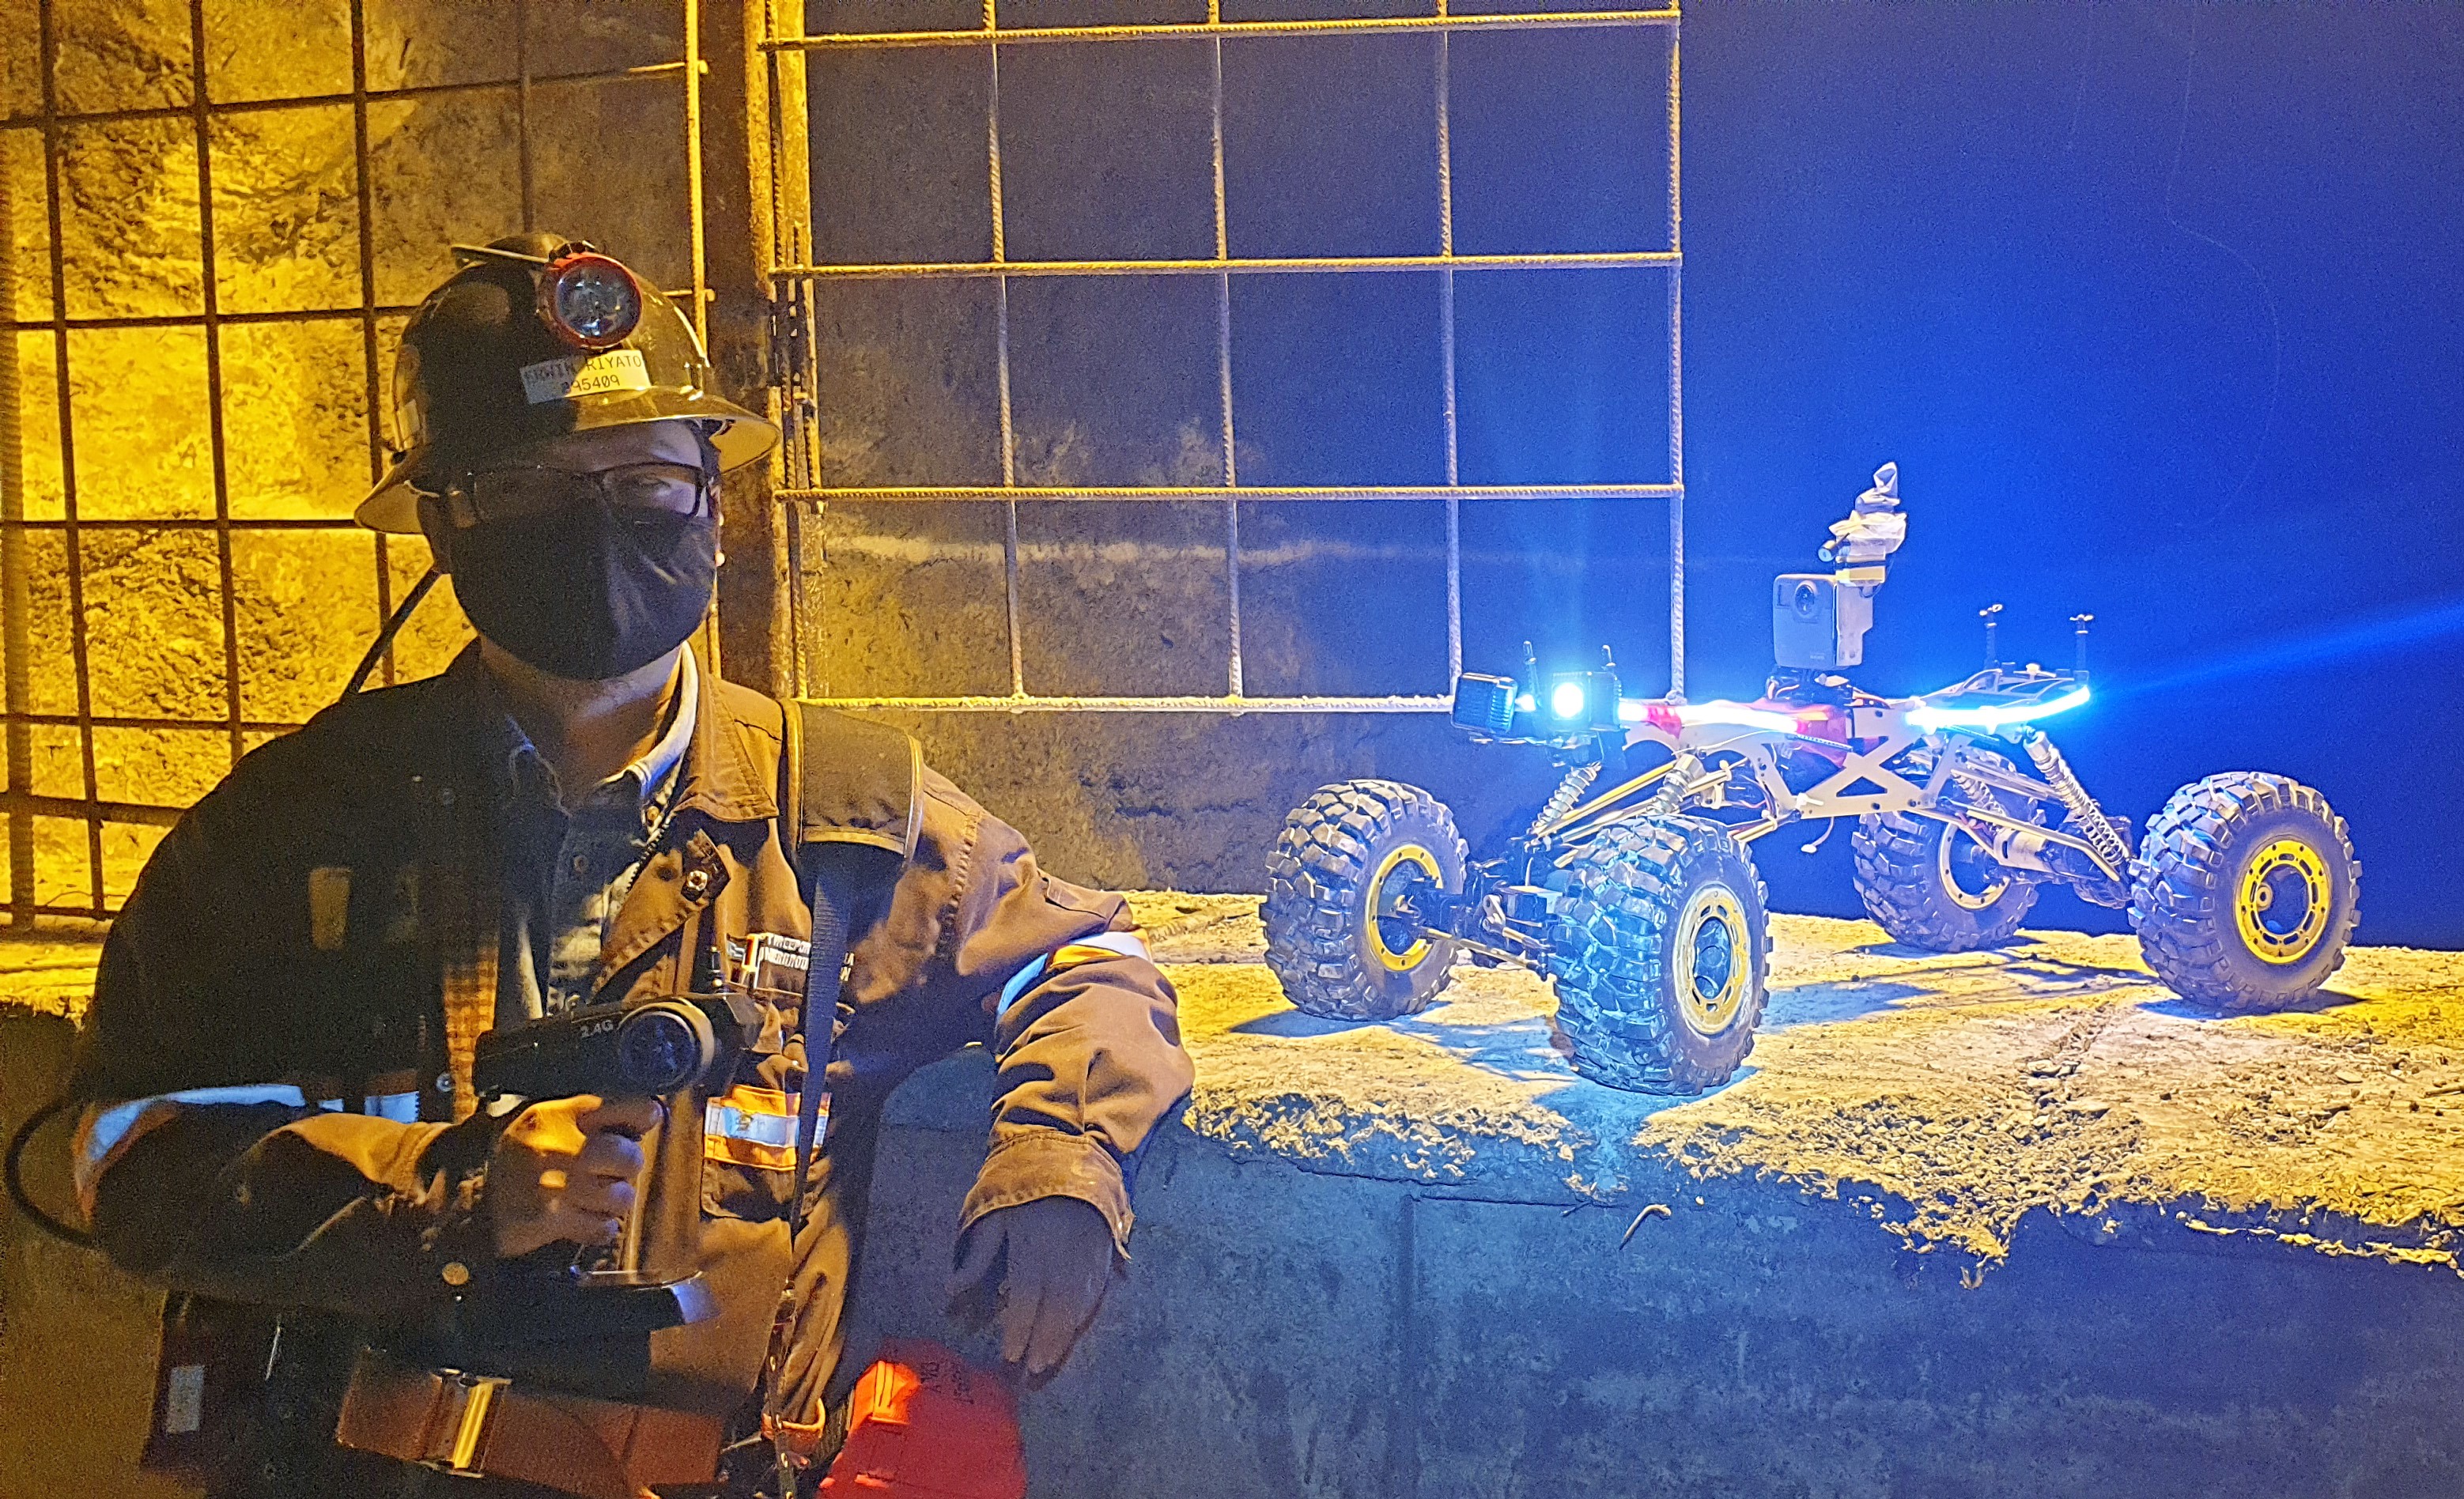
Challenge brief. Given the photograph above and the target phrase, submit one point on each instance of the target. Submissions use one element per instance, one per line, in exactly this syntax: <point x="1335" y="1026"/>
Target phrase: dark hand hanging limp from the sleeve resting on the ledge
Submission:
<point x="1041" y="1271"/>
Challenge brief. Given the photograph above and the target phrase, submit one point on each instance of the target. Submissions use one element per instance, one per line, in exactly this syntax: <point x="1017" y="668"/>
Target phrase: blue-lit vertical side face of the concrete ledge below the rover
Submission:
<point x="1300" y="1333"/>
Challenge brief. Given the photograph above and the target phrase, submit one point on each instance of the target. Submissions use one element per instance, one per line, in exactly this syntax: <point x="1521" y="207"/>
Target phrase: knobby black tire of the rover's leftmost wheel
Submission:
<point x="1317" y="899"/>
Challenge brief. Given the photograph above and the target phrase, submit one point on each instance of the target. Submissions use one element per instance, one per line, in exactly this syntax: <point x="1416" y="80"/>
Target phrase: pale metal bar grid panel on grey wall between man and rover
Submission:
<point x="807" y="285"/>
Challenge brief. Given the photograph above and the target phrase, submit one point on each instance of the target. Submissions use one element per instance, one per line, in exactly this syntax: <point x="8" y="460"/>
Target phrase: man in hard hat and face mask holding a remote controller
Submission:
<point x="395" y="1276"/>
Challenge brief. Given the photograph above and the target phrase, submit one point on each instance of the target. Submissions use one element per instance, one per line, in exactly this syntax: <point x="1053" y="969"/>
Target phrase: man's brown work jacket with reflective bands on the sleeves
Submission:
<point x="282" y="1032"/>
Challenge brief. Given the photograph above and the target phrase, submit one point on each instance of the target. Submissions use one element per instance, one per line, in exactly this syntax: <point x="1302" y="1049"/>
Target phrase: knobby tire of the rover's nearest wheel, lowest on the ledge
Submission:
<point x="1618" y="1010"/>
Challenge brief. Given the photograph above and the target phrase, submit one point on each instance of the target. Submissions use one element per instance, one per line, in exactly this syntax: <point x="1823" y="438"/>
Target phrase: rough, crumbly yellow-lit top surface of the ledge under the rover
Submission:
<point x="1953" y="1093"/>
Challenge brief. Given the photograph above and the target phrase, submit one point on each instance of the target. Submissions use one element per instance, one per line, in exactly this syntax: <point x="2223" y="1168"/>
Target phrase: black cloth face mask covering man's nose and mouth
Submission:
<point x="585" y="593"/>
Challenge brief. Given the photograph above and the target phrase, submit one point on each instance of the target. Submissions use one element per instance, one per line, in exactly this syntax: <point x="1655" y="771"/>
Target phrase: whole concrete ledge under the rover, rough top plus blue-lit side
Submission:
<point x="2004" y="1224"/>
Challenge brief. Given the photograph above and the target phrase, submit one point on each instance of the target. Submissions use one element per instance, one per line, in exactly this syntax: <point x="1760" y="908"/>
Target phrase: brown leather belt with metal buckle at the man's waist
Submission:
<point x="484" y="1426"/>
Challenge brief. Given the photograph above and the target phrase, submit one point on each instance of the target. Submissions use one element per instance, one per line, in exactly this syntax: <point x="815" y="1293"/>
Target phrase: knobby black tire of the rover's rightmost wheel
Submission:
<point x="2187" y="884"/>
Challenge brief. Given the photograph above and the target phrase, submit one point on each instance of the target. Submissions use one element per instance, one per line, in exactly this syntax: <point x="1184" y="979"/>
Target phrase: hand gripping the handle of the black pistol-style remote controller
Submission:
<point x="565" y="1172"/>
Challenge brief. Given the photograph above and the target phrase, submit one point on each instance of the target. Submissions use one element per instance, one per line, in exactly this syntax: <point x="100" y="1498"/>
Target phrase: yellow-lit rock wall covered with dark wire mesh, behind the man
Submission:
<point x="147" y="524"/>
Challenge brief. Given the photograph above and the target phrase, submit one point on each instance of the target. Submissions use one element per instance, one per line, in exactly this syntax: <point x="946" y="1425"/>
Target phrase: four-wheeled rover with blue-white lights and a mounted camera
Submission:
<point x="1635" y="889"/>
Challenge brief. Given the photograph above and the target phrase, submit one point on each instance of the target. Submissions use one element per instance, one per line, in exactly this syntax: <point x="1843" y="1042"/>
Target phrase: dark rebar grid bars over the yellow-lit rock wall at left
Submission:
<point x="68" y="534"/>
